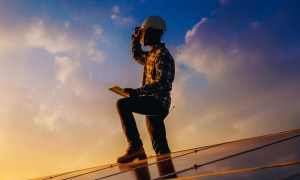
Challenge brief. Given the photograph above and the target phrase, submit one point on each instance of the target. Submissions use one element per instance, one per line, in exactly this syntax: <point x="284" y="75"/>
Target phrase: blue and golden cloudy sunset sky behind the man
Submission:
<point x="237" y="76"/>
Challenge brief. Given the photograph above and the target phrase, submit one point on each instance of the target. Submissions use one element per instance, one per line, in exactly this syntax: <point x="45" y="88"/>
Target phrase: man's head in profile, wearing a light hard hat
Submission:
<point x="152" y="29"/>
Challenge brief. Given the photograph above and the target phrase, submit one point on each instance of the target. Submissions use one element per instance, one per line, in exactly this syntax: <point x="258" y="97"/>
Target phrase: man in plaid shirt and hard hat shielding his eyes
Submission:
<point x="153" y="98"/>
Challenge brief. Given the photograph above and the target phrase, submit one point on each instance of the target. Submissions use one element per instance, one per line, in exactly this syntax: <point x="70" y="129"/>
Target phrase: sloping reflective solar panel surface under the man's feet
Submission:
<point x="274" y="156"/>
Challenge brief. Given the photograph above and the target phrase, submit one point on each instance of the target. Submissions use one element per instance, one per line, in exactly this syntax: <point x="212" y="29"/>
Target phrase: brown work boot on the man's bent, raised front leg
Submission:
<point x="131" y="154"/>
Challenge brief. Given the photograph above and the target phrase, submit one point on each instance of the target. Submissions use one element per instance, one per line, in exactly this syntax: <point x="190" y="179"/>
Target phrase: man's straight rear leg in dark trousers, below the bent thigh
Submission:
<point x="157" y="132"/>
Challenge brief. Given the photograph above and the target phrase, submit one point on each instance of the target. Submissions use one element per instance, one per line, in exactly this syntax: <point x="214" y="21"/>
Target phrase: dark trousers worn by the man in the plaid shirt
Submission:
<point x="155" y="115"/>
